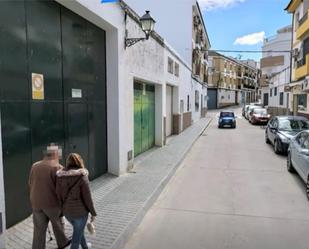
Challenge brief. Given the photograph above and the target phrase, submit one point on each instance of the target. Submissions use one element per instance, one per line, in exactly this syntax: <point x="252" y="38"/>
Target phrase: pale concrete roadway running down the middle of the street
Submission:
<point x="231" y="191"/>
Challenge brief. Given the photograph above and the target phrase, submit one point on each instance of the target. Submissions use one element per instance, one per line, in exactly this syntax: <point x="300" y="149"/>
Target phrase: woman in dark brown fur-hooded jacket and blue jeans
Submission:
<point x="74" y="194"/>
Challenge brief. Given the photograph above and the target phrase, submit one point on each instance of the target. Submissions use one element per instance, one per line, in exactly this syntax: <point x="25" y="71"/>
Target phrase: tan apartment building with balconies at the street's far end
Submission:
<point x="230" y="81"/>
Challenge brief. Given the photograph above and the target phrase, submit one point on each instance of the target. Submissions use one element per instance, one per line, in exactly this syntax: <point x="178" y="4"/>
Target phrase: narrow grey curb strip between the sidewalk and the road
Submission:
<point x="121" y="241"/>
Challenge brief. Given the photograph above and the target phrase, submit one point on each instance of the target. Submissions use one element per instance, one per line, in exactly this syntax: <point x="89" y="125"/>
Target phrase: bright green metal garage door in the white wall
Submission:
<point x="144" y="117"/>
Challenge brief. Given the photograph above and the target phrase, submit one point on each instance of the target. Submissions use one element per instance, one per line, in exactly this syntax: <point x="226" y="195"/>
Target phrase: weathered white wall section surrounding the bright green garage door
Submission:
<point x="144" y="62"/>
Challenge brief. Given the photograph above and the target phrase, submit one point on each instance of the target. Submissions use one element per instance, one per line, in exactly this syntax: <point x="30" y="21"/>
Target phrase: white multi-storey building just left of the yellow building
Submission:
<point x="275" y="71"/>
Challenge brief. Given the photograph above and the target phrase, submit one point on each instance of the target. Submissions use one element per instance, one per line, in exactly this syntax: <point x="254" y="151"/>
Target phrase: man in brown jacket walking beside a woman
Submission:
<point x="44" y="202"/>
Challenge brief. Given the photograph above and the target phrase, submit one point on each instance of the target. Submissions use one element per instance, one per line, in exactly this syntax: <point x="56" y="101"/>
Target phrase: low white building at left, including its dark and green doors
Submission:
<point x="95" y="91"/>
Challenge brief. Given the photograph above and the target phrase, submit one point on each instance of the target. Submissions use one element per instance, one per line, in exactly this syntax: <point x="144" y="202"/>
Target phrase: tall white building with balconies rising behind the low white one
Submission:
<point x="186" y="32"/>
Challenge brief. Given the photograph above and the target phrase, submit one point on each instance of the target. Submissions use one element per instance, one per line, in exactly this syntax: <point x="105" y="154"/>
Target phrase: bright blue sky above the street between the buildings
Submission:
<point x="227" y="20"/>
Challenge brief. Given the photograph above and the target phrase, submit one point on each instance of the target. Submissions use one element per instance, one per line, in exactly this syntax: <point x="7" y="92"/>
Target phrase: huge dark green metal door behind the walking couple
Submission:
<point x="43" y="37"/>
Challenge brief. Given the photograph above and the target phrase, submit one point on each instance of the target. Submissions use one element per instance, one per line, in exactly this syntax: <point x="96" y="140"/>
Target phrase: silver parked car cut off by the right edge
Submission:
<point x="298" y="157"/>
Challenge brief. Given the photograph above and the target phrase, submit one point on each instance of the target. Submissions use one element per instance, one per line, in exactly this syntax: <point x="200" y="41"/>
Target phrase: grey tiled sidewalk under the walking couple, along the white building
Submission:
<point x="122" y="202"/>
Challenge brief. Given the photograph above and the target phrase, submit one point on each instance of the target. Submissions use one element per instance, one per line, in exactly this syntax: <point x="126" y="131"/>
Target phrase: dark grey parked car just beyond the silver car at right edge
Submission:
<point x="281" y="129"/>
